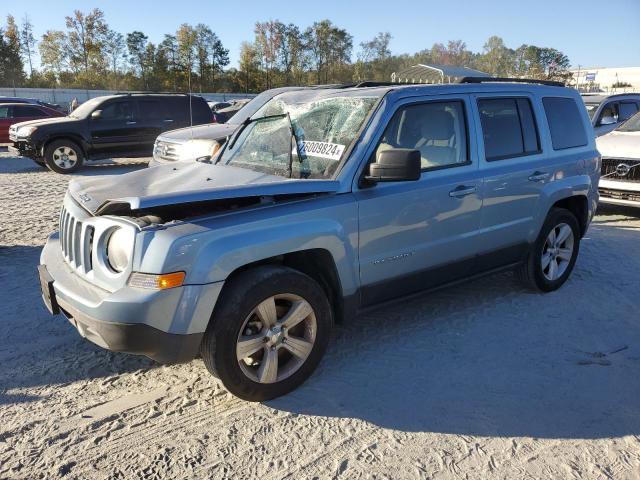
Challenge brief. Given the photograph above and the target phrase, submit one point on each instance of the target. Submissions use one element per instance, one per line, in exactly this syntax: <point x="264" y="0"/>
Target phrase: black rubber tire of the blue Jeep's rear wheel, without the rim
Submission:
<point x="555" y="218"/>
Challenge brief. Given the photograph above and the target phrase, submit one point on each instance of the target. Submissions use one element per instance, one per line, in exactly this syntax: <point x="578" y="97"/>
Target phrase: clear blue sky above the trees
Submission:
<point x="592" y="33"/>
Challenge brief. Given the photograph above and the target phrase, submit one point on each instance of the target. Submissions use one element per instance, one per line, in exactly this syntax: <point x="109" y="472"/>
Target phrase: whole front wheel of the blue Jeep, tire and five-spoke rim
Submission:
<point x="237" y="318"/>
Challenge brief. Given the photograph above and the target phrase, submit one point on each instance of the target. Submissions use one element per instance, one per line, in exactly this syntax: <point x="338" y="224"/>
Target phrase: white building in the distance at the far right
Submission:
<point x="606" y="79"/>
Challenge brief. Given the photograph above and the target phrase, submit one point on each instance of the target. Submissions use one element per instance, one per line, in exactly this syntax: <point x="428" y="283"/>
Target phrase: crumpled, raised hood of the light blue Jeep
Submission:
<point x="183" y="184"/>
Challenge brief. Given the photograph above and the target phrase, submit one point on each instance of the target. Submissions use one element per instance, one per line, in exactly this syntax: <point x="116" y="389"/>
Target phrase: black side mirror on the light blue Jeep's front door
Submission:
<point x="395" y="165"/>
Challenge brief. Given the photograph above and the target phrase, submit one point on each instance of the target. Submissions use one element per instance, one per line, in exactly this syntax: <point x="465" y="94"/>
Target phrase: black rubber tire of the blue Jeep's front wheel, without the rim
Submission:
<point x="243" y="295"/>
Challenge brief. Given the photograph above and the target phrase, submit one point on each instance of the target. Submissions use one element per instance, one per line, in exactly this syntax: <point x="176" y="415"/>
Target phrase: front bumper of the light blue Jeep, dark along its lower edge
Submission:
<point x="164" y="325"/>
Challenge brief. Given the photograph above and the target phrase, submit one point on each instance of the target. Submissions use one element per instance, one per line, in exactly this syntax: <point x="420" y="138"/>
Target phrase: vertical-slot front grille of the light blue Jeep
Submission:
<point x="76" y="240"/>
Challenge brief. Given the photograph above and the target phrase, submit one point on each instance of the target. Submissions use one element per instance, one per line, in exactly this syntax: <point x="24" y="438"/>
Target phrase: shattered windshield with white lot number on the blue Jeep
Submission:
<point x="324" y="126"/>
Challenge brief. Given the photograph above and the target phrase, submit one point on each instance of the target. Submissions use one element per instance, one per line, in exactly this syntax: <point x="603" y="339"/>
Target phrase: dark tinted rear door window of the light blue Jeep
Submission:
<point x="508" y="128"/>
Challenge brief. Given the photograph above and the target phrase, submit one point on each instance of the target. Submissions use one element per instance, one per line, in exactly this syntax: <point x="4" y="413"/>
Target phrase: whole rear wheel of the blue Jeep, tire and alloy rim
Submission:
<point x="533" y="272"/>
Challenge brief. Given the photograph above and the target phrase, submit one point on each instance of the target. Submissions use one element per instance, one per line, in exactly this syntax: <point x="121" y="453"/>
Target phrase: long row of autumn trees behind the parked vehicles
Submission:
<point x="89" y="54"/>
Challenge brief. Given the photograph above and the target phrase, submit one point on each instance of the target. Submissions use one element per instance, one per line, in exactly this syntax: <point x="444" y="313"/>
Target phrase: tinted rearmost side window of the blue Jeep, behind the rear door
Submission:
<point x="565" y="123"/>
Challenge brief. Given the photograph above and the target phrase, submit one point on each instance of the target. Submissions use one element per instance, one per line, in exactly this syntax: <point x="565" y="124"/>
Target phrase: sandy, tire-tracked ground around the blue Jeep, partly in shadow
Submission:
<point x="484" y="380"/>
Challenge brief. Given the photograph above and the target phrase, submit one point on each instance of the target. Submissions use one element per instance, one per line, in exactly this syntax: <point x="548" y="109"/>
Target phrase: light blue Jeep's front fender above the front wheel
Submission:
<point x="210" y="250"/>
